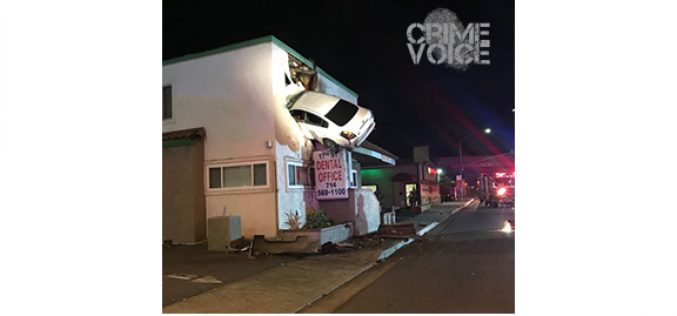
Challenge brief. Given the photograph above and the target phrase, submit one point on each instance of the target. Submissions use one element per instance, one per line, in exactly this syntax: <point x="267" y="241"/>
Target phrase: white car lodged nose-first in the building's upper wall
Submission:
<point x="331" y="120"/>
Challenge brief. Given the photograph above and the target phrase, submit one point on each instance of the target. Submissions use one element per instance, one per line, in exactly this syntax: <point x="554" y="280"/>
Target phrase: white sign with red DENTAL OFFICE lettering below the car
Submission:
<point x="331" y="180"/>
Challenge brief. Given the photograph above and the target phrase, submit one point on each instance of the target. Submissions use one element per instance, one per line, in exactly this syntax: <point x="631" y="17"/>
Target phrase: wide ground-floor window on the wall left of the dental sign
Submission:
<point x="238" y="176"/>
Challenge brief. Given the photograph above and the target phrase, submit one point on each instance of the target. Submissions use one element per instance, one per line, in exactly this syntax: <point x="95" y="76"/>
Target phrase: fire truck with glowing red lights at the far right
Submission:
<point x="497" y="190"/>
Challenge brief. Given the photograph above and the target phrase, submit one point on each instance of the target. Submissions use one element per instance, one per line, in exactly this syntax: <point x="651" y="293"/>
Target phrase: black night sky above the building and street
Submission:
<point x="363" y="45"/>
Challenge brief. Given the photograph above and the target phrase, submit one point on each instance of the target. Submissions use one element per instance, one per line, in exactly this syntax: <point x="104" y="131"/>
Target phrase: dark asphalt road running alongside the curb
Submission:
<point x="465" y="265"/>
